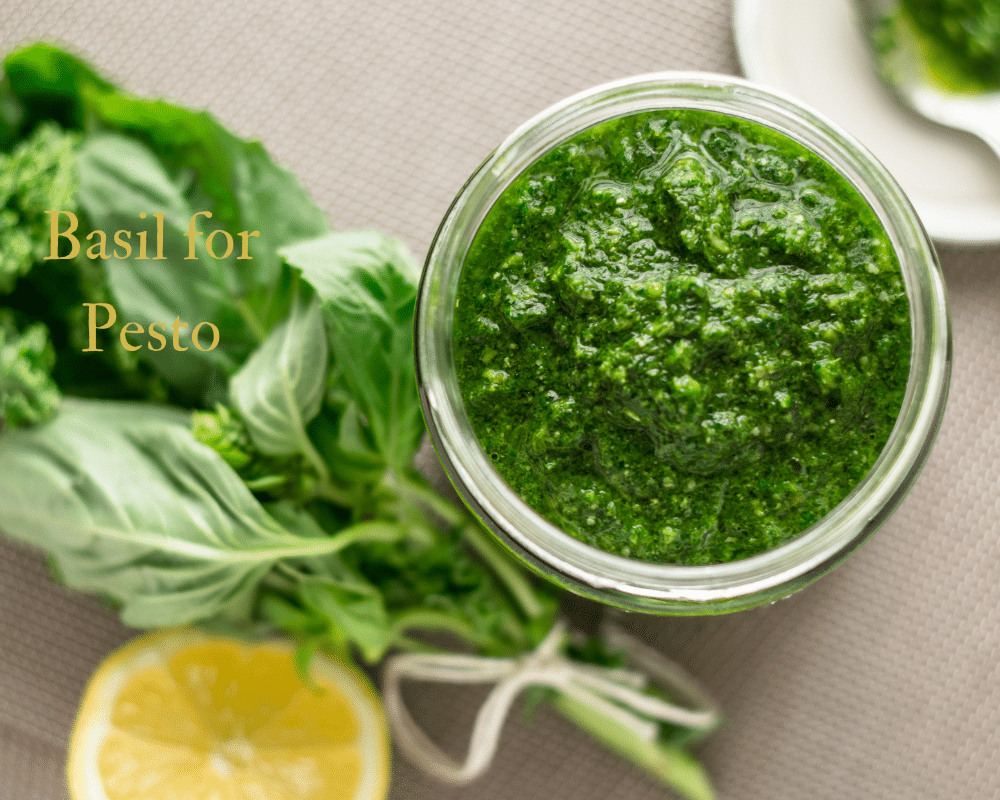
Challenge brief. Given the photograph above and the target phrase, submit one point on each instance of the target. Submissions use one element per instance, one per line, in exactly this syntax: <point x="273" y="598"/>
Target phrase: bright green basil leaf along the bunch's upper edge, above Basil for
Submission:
<point x="245" y="189"/>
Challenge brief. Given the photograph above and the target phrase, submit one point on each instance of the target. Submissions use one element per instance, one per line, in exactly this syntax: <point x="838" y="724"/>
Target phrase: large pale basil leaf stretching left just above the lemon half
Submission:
<point x="132" y="507"/>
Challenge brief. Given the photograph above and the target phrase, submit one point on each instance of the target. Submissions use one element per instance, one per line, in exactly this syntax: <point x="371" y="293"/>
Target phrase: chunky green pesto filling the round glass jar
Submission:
<point x="682" y="337"/>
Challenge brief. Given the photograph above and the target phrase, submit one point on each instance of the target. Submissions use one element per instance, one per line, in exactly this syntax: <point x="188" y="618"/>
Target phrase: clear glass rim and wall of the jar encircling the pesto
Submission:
<point x="665" y="588"/>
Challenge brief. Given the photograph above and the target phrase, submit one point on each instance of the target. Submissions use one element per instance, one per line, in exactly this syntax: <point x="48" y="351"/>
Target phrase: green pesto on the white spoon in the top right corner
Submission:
<point x="961" y="40"/>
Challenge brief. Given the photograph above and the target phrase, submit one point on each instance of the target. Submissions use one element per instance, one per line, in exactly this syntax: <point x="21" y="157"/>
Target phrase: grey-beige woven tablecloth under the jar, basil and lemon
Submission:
<point x="879" y="681"/>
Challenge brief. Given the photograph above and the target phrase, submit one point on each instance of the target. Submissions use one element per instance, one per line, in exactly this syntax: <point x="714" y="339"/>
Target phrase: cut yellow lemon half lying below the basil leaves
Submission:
<point x="181" y="715"/>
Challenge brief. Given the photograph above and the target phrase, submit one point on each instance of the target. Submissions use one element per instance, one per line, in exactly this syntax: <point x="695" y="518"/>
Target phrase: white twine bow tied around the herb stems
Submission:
<point x="614" y="693"/>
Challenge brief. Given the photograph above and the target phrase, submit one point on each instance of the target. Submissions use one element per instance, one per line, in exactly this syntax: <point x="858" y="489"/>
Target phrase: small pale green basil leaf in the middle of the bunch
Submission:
<point x="279" y="391"/>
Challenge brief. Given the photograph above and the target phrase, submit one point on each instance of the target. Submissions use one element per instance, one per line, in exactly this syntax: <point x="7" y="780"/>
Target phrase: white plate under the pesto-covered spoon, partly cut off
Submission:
<point x="814" y="50"/>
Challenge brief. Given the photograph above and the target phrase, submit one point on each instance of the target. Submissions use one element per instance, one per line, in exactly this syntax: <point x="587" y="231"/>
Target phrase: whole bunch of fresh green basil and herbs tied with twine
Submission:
<point x="268" y="483"/>
